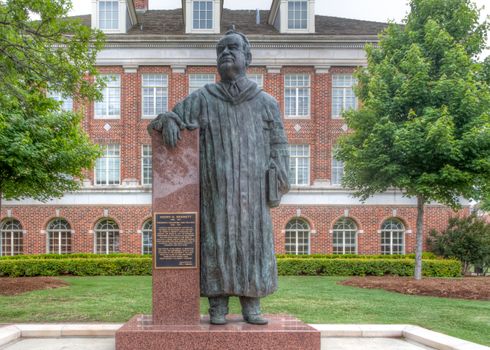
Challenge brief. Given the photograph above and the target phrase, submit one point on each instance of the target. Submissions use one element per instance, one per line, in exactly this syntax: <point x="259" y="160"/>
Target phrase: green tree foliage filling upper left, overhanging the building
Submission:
<point x="42" y="148"/>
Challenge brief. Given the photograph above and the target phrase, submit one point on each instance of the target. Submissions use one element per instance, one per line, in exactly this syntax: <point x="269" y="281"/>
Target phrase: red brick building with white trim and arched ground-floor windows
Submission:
<point x="153" y="59"/>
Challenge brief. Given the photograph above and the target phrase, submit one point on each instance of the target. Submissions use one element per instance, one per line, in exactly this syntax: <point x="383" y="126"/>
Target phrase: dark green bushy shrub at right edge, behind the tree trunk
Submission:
<point x="466" y="239"/>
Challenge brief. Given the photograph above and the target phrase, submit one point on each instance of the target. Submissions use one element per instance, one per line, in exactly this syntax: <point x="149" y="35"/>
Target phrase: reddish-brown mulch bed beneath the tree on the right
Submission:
<point x="472" y="288"/>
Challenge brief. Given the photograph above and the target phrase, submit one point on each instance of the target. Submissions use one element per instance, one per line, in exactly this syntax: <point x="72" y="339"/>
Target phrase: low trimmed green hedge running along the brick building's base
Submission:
<point x="124" y="266"/>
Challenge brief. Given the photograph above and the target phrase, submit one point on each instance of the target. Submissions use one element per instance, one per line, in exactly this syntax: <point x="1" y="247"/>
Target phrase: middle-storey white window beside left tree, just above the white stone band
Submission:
<point x="107" y="167"/>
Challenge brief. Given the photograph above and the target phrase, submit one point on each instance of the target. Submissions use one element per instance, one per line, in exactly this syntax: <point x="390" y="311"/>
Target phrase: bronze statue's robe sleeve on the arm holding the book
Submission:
<point x="279" y="147"/>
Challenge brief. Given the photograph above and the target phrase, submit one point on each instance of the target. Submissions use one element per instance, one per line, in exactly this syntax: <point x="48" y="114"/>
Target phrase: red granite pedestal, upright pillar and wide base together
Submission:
<point x="176" y="323"/>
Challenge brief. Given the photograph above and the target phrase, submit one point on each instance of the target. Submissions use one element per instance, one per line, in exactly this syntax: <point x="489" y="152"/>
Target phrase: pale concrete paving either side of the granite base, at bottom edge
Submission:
<point x="108" y="344"/>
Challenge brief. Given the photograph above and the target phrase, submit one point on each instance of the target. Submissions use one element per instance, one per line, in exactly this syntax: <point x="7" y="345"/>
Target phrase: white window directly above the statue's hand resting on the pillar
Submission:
<point x="155" y="94"/>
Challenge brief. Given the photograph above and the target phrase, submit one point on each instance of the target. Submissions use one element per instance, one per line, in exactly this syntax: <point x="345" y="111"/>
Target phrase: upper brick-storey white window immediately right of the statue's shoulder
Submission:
<point x="297" y="95"/>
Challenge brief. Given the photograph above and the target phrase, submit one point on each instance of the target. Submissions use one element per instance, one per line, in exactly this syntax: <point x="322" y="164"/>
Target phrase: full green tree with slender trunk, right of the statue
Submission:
<point x="424" y="125"/>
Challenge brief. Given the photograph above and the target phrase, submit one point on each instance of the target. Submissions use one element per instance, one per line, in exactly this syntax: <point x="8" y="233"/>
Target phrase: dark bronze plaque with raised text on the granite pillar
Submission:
<point x="175" y="240"/>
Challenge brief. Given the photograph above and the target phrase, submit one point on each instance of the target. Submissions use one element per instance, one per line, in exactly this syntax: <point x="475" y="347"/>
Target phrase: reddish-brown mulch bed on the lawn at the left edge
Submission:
<point x="13" y="286"/>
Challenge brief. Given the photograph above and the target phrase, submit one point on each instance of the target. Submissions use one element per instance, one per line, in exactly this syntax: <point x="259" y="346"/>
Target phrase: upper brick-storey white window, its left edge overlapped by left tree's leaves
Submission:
<point x="110" y="106"/>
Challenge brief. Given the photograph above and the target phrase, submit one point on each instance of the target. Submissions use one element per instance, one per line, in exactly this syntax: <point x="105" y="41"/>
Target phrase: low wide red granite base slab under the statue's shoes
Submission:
<point x="282" y="333"/>
